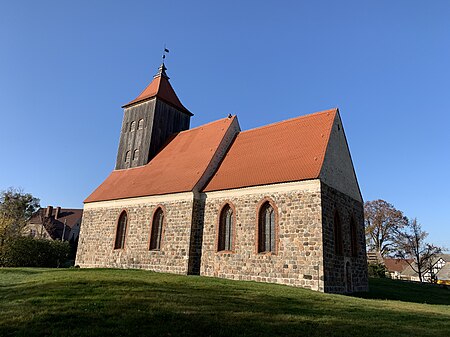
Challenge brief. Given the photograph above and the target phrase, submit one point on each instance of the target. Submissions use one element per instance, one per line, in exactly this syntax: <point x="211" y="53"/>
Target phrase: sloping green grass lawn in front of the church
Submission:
<point x="102" y="302"/>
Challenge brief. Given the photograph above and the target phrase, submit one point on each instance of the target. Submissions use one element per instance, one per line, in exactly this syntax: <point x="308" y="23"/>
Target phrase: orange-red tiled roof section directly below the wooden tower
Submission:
<point x="176" y="168"/>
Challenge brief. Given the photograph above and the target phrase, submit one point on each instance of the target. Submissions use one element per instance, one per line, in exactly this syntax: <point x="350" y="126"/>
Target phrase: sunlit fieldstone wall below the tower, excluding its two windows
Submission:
<point x="96" y="246"/>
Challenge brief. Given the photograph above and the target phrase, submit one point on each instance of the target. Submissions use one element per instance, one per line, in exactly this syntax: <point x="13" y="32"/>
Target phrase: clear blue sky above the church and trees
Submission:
<point x="66" y="67"/>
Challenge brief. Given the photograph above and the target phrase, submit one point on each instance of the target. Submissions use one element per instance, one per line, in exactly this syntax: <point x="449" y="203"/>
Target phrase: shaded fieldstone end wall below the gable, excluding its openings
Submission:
<point x="334" y="265"/>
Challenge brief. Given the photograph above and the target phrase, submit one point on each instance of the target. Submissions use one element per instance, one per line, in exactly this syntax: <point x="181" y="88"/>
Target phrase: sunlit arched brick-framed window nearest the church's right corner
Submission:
<point x="266" y="229"/>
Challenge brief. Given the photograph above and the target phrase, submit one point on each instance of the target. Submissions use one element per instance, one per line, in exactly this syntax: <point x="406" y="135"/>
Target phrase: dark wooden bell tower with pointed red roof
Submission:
<point x="149" y="120"/>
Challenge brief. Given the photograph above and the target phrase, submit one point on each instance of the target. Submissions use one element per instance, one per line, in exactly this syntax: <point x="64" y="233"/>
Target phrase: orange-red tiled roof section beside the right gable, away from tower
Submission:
<point x="291" y="150"/>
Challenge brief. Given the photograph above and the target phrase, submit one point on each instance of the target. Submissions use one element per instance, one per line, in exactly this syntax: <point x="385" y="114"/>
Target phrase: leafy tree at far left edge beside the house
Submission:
<point x="16" y="208"/>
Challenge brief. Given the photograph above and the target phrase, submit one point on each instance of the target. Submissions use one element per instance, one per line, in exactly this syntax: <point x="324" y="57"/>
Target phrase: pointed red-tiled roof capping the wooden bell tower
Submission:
<point x="160" y="87"/>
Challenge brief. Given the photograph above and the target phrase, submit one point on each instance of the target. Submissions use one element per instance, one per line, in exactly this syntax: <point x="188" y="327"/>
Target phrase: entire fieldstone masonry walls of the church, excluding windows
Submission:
<point x="305" y="240"/>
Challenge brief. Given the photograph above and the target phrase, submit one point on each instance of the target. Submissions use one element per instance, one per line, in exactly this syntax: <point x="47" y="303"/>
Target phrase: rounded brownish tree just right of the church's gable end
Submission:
<point x="383" y="223"/>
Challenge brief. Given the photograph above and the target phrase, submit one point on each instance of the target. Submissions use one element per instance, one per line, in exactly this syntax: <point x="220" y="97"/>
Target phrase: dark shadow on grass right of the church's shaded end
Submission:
<point x="397" y="290"/>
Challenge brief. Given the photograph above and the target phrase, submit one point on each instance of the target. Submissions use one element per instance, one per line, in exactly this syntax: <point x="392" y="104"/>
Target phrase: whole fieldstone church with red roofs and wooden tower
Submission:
<point x="278" y="203"/>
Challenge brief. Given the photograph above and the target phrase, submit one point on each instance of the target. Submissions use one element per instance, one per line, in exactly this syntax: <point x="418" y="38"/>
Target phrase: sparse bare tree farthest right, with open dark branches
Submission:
<point x="411" y="245"/>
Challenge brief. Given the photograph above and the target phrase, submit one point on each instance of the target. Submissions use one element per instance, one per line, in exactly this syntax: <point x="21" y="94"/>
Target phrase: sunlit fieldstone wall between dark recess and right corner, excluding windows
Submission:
<point x="298" y="257"/>
